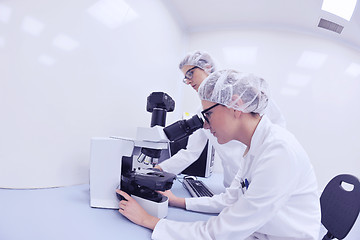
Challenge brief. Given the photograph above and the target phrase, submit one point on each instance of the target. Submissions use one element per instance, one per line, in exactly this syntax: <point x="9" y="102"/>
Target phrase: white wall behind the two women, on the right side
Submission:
<point x="315" y="82"/>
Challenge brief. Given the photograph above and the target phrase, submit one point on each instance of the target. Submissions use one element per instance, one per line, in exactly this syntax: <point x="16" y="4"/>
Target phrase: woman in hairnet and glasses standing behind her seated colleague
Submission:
<point x="196" y="66"/>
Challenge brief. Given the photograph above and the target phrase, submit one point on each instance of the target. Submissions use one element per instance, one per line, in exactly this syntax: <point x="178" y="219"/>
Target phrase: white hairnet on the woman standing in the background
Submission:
<point x="199" y="59"/>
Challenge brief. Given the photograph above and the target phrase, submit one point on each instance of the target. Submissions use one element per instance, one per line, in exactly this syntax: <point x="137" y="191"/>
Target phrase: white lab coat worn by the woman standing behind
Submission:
<point x="229" y="153"/>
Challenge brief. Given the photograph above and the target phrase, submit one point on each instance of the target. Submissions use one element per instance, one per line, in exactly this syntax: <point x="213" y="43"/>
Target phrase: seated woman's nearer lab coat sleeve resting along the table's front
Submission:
<point x="269" y="188"/>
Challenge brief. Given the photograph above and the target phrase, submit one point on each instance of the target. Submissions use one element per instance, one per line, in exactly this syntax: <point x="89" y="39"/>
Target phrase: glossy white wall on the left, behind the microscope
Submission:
<point x="93" y="81"/>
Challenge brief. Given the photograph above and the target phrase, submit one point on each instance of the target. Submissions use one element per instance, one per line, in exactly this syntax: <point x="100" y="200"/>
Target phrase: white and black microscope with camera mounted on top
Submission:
<point x="128" y="163"/>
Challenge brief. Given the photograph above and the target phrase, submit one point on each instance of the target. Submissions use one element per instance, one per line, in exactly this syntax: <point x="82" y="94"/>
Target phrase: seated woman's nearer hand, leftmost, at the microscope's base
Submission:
<point x="135" y="213"/>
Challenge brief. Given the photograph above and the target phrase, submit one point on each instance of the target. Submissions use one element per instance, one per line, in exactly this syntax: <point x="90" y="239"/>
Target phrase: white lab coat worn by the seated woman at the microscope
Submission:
<point x="281" y="201"/>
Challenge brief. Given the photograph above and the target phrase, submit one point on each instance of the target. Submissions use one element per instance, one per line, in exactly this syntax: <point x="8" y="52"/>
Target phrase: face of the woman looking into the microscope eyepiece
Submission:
<point x="218" y="119"/>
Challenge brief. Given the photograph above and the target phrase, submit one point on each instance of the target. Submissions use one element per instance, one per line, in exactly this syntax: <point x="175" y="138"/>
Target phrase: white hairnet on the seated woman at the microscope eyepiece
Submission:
<point x="228" y="87"/>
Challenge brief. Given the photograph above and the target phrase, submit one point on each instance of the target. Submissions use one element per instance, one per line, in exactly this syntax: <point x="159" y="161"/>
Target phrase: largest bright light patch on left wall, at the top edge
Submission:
<point x="112" y="13"/>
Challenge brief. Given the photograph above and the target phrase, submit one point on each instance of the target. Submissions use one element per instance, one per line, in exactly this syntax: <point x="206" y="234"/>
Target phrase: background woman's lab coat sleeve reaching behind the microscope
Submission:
<point x="185" y="157"/>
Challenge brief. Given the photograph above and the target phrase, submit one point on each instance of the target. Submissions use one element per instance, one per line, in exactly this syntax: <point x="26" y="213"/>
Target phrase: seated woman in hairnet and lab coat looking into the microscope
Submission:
<point x="273" y="196"/>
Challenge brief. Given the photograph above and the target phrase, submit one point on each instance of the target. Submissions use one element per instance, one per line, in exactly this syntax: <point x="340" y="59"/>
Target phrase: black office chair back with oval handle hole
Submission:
<point x="340" y="207"/>
